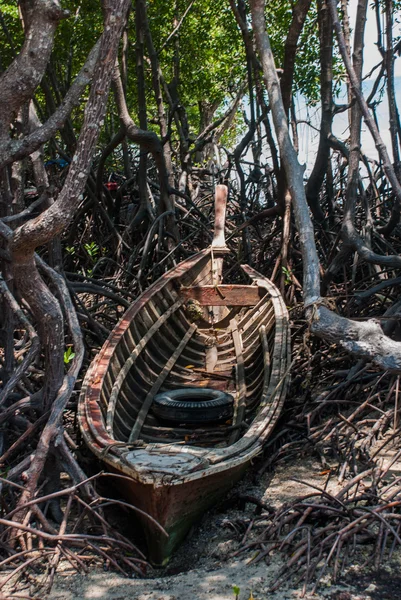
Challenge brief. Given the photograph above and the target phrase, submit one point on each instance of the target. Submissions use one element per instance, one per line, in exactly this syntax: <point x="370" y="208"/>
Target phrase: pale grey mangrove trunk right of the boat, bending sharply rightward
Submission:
<point x="361" y="338"/>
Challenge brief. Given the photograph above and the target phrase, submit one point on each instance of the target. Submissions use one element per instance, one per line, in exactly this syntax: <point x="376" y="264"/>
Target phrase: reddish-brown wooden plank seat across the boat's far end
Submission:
<point x="222" y="295"/>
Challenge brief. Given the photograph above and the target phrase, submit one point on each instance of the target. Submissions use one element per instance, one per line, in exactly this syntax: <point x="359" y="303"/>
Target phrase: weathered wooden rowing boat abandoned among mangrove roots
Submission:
<point x="187" y="389"/>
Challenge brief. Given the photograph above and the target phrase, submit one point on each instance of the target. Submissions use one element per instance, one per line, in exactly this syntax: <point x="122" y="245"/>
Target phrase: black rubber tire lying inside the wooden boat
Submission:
<point x="193" y="405"/>
